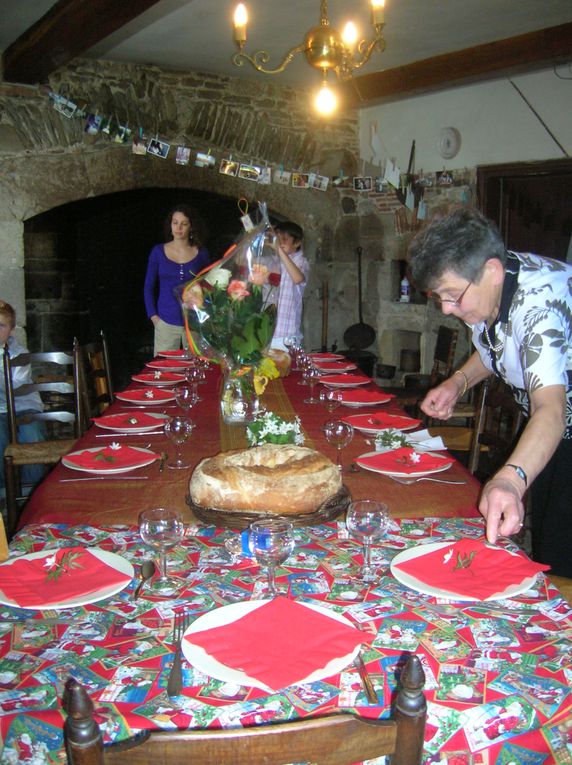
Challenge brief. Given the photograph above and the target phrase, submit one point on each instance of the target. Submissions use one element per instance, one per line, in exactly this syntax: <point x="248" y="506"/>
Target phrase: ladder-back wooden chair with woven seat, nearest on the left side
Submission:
<point x="56" y="379"/>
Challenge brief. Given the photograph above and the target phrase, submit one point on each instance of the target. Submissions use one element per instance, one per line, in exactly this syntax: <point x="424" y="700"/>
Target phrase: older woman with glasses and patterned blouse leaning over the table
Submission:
<point x="519" y="307"/>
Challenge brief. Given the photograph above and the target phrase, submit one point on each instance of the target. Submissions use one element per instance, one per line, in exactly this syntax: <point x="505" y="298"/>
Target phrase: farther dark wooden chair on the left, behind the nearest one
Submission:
<point x="97" y="386"/>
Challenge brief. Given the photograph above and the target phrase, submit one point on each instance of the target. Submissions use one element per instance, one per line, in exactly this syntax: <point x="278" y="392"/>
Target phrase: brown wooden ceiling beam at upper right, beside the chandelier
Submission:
<point x="503" y="58"/>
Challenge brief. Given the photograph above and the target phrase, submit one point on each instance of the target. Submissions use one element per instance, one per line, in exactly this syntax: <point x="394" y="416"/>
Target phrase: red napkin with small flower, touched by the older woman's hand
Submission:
<point x="491" y="569"/>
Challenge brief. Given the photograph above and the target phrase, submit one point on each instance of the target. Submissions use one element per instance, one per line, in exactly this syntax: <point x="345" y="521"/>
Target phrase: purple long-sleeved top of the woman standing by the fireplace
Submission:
<point x="162" y="276"/>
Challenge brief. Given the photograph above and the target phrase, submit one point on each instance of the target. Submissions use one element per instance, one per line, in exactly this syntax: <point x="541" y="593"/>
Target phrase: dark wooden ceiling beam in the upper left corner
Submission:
<point x="67" y="30"/>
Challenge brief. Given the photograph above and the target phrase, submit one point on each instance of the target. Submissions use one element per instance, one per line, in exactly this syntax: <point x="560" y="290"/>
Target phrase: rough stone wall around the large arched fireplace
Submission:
<point x="47" y="161"/>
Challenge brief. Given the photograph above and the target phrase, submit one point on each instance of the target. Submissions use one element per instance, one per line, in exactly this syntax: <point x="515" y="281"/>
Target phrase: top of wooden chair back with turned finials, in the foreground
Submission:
<point x="338" y="739"/>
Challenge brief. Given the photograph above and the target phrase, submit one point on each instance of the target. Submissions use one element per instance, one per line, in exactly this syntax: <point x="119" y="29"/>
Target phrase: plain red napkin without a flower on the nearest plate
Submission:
<point x="279" y="643"/>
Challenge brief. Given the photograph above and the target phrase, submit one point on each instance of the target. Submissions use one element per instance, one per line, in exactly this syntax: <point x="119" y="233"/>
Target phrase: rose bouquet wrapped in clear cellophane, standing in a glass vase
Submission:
<point x="230" y="314"/>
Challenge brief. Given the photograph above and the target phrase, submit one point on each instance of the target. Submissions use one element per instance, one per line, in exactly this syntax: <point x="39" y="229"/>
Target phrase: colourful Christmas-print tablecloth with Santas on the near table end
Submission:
<point x="497" y="674"/>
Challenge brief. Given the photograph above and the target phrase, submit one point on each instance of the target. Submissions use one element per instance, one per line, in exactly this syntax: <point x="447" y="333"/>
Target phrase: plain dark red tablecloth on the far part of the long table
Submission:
<point x="117" y="501"/>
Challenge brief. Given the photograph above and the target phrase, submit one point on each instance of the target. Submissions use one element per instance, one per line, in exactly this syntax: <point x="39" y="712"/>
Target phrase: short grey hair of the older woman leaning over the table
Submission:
<point x="461" y="241"/>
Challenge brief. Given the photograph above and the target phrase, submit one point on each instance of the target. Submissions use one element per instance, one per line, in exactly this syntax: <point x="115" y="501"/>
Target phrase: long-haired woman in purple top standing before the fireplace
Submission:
<point x="170" y="264"/>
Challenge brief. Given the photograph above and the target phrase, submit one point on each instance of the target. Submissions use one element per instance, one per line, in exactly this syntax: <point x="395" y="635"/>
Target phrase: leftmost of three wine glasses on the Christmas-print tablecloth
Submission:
<point x="162" y="528"/>
